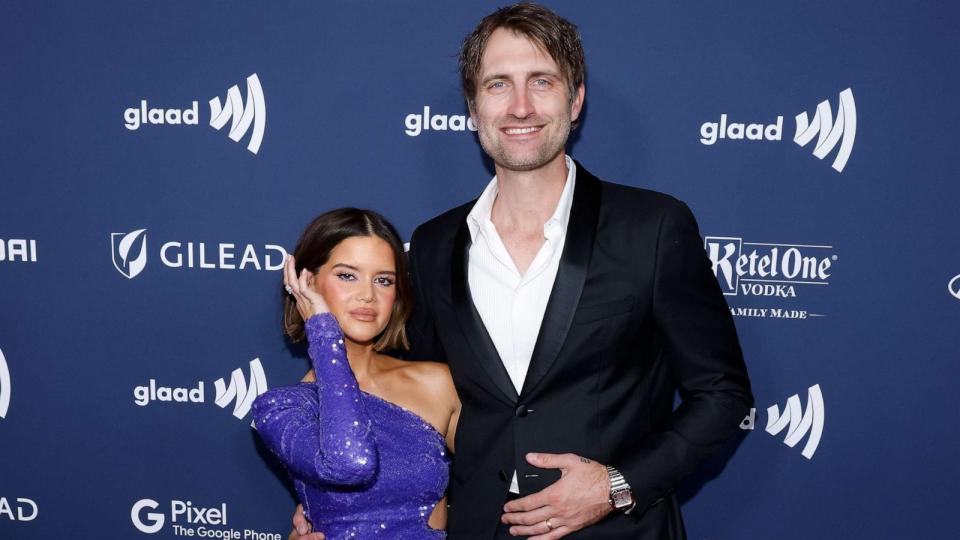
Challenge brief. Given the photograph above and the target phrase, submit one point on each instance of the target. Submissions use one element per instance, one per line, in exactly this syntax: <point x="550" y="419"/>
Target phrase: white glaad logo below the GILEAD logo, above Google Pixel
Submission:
<point x="238" y="391"/>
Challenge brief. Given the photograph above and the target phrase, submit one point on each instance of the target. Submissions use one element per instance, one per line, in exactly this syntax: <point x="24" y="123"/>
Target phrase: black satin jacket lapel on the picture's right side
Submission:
<point x="571" y="275"/>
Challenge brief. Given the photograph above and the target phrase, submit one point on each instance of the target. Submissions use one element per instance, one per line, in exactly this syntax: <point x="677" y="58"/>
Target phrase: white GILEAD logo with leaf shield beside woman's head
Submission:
<point x="130" y="255"/>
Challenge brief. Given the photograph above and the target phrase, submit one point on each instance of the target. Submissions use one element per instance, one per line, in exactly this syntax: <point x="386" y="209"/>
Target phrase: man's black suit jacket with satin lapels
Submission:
<point x="635" y="315"/>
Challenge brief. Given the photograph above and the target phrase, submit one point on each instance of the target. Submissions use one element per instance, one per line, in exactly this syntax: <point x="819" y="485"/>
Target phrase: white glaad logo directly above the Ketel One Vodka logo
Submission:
<point x="829" y="131"/>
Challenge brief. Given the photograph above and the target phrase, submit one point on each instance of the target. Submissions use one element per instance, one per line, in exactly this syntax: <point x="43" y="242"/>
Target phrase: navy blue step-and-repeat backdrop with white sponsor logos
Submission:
<point x="159" y="159"/>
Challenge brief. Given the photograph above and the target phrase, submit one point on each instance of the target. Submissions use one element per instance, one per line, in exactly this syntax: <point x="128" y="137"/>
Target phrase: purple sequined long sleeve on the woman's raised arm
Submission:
<point x="321" y="431"/>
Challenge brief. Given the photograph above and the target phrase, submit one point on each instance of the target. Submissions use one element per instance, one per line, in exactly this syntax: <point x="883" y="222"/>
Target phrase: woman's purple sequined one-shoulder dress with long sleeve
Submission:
<point x="362" y="466"/>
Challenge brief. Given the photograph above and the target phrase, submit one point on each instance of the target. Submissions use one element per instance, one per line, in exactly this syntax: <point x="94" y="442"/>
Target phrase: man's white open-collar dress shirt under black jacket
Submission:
<point x="512" y="304"/>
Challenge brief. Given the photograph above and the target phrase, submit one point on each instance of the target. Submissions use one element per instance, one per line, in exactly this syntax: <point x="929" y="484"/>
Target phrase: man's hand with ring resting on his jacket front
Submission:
<point x="580" y="498"/>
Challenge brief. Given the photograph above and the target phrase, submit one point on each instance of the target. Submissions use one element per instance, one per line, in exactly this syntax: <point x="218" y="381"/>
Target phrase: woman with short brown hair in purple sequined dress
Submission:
<point x="365" y="442"/>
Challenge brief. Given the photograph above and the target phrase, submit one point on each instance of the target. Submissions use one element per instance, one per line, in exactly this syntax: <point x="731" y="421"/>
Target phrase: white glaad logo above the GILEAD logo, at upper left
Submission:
<point x="240" y="115"/>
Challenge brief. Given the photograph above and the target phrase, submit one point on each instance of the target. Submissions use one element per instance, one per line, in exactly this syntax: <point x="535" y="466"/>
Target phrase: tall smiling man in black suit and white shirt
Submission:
<point x="570" y="311"/>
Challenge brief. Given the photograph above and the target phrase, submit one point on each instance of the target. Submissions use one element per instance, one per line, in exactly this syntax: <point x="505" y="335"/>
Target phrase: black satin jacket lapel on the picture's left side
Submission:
<point x="478" y="340"/>
